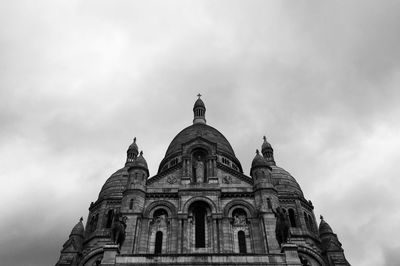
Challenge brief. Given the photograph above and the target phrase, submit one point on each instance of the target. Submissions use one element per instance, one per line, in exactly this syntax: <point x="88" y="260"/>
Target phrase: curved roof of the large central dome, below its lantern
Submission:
<point x="200" y="130"/>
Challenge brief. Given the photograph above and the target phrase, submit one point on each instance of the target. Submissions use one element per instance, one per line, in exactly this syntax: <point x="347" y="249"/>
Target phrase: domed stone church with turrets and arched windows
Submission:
<point x="201" y="209"/>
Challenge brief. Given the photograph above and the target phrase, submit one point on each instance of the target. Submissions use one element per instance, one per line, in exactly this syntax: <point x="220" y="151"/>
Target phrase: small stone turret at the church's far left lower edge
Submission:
<point x="72" y="249"/>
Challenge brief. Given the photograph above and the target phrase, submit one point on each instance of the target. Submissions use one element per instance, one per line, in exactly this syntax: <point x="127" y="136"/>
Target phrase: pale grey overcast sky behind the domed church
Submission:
<point x="80" y="79"/>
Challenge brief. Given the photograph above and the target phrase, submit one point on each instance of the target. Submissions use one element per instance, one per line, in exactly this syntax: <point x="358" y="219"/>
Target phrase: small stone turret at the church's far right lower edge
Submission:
<point x="331" y="246"/>
